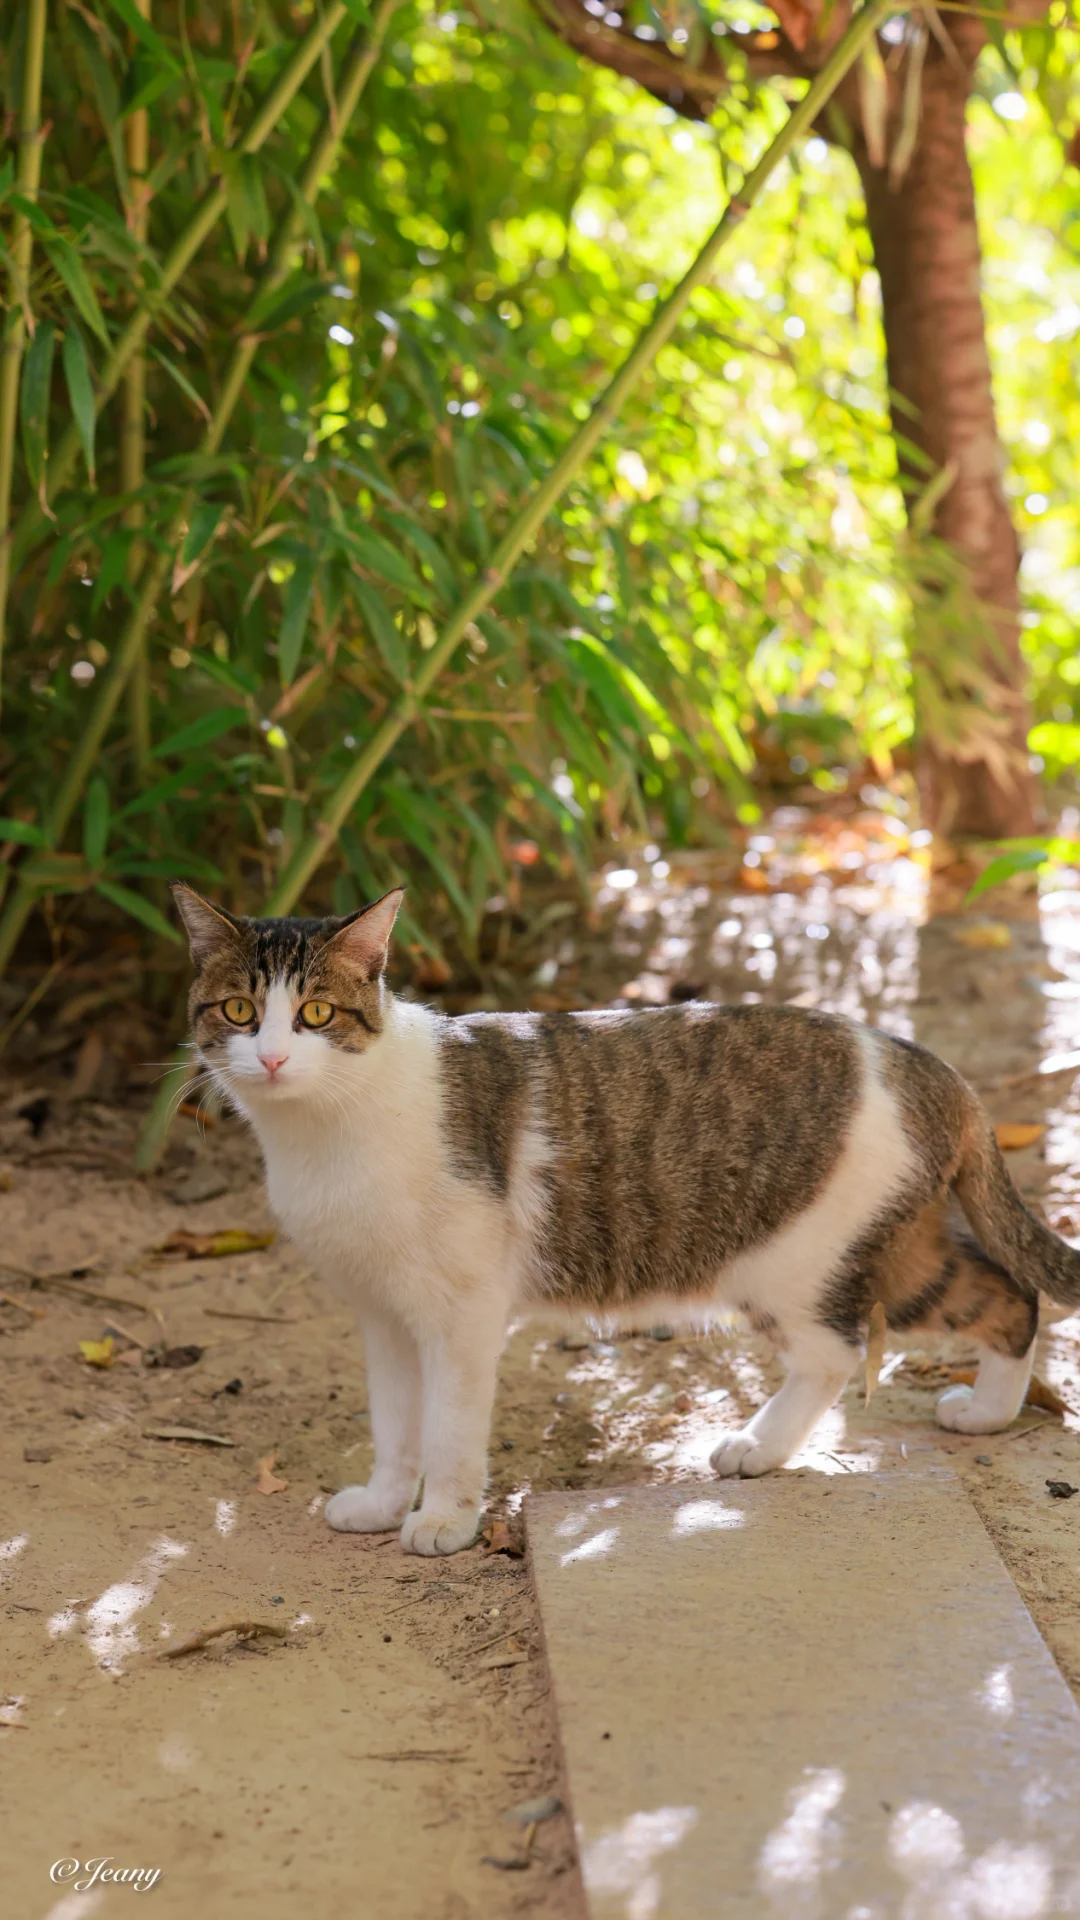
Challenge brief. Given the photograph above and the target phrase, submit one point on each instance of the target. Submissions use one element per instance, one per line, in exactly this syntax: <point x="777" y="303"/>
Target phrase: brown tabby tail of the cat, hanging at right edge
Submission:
<point x="1010" y="1234"/>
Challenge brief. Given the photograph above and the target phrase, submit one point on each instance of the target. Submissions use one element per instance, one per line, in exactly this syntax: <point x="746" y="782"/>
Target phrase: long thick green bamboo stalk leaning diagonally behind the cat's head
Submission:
<point x="518" y="537"/>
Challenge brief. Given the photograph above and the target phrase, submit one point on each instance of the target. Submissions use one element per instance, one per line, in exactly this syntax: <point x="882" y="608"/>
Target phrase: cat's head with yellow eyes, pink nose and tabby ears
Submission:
<point x="280" y="1009"/>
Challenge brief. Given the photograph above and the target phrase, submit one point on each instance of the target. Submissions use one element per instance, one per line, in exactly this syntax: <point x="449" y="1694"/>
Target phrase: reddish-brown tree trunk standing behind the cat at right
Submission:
<point x="970" y="675"/>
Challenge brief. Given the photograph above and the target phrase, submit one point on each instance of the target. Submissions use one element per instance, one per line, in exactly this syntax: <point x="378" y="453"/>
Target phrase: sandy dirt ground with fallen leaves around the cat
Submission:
<point x="368" y="1758"/>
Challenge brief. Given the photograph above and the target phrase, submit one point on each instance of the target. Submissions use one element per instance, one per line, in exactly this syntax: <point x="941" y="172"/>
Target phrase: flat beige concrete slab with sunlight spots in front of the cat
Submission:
<point x="808" y="1698"/>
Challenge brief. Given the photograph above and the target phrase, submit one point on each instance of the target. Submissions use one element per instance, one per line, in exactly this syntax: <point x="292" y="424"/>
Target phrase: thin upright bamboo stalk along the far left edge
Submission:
<point x="28" y="178"/>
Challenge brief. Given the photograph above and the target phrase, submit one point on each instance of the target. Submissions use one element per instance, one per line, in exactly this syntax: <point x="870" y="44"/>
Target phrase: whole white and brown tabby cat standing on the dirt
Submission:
<point x="447" y="1174"/>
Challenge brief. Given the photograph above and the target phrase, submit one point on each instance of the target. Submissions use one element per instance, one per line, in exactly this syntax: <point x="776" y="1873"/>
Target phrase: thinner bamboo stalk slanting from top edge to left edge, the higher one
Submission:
<point x="174" y="268"/>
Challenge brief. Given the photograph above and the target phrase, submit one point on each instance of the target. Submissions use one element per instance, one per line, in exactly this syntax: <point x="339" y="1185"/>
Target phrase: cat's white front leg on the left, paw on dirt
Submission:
<point x="395" y="1399"/>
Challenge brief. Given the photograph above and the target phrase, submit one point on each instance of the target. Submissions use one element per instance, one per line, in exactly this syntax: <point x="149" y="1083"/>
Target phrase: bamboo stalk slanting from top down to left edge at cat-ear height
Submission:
<point x="134" y="636"/>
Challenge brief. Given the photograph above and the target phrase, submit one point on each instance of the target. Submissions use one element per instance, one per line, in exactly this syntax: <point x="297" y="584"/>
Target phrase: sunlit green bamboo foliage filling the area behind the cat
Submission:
<point x="724" y="587"/>
